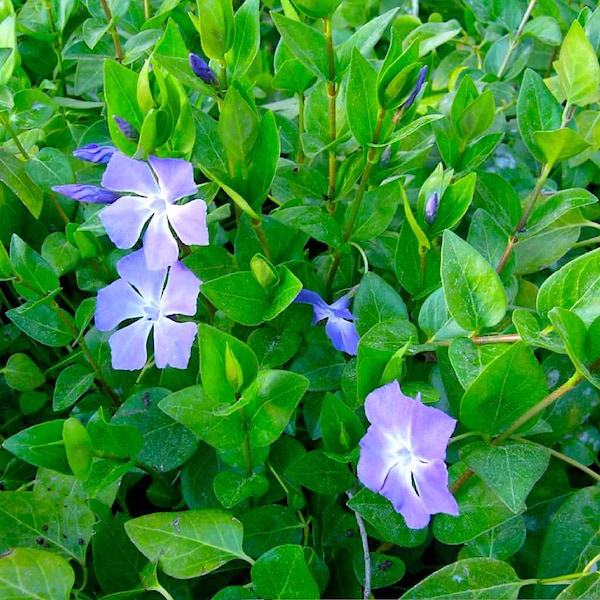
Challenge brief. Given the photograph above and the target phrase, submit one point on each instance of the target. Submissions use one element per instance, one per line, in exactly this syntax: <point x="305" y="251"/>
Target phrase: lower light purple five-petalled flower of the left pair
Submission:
<point x="142" y="294"/>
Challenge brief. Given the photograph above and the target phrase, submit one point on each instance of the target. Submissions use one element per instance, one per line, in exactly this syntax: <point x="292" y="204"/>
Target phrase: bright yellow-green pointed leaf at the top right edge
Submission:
<point x="577" y="67"/>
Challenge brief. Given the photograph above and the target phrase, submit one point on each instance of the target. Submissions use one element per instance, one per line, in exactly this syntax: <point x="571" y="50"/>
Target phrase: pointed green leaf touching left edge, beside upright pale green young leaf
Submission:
<point x="40" y="445"/>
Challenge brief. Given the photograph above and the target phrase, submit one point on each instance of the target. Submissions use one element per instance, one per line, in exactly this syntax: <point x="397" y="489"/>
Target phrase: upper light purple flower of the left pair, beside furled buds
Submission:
<point x="151" y="199"/>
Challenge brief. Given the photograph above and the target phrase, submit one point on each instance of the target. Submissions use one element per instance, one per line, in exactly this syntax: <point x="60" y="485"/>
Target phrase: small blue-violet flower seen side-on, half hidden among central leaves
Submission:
<point x="339" y="327"/>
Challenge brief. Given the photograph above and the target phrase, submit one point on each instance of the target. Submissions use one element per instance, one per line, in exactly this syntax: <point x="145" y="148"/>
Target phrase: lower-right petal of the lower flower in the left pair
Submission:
<point x="173" y="343"/>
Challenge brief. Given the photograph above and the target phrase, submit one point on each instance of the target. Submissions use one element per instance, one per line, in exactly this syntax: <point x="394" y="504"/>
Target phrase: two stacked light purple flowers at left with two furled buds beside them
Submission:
<point x="154" y="286"/>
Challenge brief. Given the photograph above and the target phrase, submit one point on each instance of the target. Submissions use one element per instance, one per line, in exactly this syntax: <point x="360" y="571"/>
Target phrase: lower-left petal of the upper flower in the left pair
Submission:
<point x="124" y="220"/>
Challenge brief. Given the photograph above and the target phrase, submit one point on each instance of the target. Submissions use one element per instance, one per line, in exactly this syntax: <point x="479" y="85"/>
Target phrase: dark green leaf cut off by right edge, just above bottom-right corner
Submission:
<point x="571" y="540"/>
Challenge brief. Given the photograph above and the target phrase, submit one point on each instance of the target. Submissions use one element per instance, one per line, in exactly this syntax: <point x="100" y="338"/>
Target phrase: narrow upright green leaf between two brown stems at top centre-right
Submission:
<point x="361" y="99"/>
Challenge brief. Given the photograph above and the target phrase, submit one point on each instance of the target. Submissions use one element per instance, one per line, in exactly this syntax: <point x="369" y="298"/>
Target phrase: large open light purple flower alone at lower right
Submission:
<point x="402" y="455"/>
